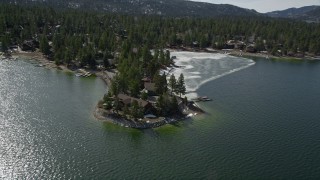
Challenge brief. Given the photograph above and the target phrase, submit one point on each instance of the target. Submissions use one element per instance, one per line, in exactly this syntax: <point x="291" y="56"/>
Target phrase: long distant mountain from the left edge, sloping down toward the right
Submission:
<point x="179" y="8"/>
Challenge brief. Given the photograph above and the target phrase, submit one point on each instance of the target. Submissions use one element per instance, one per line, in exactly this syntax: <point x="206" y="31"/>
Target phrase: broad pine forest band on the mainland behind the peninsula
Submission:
<point x="73" y="36"/>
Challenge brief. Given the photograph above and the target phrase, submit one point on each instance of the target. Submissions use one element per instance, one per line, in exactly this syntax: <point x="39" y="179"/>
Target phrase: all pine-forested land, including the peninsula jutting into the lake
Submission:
<point x="130" y="51"/>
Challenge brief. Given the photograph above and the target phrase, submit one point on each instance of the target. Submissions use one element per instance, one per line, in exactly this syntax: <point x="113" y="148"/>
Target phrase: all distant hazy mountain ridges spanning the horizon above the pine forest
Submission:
<point x="173" y="8"/>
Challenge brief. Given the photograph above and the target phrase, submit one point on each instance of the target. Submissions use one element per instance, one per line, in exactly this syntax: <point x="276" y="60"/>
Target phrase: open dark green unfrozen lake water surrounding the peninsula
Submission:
<point x="264" y="123"/>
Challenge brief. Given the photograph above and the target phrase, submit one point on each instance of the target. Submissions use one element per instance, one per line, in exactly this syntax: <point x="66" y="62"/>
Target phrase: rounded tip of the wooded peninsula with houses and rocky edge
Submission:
<point x="155" y="104"/>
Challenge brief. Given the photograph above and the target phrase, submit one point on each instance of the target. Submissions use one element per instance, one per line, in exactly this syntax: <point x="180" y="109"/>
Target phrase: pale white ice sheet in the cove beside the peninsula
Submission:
<point x="200" y="68"/>
